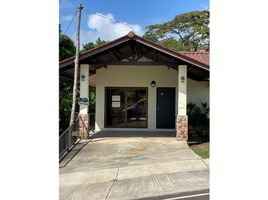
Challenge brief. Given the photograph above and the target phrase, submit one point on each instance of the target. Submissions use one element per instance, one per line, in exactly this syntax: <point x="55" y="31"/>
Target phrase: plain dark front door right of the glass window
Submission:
<point x="165" y="108"/>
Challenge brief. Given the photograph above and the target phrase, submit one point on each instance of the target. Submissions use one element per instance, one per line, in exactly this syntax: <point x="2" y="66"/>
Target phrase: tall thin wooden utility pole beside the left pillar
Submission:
<point x="76" y="62"/>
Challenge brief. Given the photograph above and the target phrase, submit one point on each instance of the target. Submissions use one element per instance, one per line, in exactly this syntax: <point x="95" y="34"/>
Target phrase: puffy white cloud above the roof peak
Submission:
<point x="107" y="28"/>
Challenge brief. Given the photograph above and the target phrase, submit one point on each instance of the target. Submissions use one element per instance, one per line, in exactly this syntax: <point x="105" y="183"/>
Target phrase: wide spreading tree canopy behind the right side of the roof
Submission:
<point x="186" y="32"/>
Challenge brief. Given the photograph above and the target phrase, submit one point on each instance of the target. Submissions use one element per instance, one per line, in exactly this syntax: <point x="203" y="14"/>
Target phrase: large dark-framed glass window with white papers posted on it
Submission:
<point x="126" y="107"/>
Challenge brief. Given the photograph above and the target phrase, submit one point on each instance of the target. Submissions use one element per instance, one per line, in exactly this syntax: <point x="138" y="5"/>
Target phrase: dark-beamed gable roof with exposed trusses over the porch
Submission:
<point x="128" y="50"/>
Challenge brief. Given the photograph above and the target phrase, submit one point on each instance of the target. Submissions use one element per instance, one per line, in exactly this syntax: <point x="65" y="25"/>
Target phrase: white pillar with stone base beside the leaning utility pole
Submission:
<point x="83" y="102"/>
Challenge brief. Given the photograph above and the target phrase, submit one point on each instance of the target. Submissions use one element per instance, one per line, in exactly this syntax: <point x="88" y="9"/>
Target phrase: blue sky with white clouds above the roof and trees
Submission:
<point x="110" y="19"/>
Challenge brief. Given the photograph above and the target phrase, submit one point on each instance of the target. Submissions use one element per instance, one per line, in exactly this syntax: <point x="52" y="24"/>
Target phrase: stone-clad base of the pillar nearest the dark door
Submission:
<point x="182" y="128"/>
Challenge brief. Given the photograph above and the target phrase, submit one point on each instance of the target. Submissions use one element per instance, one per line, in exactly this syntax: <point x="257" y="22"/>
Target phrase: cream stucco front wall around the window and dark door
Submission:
<point x="141" y="76"/>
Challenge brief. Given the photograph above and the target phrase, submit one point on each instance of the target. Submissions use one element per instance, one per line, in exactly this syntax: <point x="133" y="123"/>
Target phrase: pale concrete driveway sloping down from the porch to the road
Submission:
<point x="131" y="166"/>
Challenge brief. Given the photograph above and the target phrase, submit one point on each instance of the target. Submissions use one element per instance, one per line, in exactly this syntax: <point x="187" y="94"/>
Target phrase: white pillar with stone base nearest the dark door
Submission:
<point x="182" y="118"/>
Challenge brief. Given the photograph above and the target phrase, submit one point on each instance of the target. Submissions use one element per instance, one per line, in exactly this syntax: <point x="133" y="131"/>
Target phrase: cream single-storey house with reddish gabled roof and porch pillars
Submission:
<point x="141" y="85"/>
